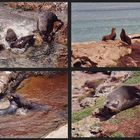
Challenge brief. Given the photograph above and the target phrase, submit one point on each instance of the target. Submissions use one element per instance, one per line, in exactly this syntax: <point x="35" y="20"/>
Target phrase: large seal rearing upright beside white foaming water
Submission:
<point x="45" y="25"/>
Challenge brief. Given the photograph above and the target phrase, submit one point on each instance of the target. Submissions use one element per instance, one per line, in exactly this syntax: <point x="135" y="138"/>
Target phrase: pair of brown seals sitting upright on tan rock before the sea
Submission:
<point x="124" y="37"/>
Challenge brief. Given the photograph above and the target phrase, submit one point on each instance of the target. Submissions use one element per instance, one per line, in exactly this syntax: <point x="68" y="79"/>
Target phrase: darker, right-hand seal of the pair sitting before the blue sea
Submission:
<point x="125" y="38"/>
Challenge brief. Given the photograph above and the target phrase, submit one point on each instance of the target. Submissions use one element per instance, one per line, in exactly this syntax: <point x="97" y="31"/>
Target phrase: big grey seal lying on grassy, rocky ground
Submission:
<point x="123" y="98"/>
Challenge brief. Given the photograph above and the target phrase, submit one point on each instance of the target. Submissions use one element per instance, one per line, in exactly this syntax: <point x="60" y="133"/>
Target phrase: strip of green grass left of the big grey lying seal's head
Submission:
<point x="77" y="116"/>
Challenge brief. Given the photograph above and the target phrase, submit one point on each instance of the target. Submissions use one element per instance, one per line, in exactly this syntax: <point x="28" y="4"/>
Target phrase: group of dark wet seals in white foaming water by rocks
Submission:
<point x="47" y="25"/>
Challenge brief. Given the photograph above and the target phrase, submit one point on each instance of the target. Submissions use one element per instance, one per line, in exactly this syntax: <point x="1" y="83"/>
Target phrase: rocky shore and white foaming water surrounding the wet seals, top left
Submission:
<point x="41" y="54"/>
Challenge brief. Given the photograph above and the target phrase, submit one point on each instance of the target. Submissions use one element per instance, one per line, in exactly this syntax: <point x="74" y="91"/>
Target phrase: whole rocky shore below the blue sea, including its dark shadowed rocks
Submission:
<point x="106" y="53"/>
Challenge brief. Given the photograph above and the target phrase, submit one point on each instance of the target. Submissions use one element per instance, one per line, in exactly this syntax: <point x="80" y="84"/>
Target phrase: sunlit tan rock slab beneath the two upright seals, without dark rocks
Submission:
<point x="100" y="52"/>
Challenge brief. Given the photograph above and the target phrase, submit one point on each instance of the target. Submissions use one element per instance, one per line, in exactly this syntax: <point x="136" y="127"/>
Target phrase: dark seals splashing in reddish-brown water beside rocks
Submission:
<point x="18" y="102"/>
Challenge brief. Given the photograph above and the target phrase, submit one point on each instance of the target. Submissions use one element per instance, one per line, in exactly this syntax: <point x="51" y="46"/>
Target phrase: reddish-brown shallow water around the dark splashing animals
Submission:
<point x="50" y="91"/>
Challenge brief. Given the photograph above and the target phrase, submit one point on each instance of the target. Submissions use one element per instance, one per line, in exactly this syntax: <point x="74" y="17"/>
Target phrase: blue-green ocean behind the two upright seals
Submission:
<point x="90" y="21"/>
